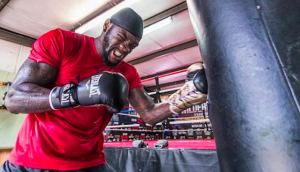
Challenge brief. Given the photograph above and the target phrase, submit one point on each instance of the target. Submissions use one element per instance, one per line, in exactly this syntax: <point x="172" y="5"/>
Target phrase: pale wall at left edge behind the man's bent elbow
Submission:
<point x="12" y="57"/>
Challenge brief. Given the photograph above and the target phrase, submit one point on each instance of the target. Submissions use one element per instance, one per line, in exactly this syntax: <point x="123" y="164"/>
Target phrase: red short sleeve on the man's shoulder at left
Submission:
<point x="48" y="48"/>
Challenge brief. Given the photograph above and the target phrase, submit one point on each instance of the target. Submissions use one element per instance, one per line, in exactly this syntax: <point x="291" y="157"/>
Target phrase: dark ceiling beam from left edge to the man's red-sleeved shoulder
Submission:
<point x="16" y="37"/>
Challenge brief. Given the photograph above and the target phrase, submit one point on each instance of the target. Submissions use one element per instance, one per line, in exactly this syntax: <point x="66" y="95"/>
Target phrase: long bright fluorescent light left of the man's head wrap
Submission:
<point x="107" y="14"/>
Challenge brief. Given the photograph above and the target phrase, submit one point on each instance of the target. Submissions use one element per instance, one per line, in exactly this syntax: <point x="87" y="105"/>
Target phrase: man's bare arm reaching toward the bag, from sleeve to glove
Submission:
<point x="150" y="112"/>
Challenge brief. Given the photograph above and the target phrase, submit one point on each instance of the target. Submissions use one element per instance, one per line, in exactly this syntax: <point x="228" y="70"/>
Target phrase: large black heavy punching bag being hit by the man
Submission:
<point x="251" y="49"/>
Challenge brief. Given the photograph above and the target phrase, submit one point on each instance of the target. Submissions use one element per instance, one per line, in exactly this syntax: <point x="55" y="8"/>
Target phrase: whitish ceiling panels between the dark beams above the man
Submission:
<point x="170" y="48"/>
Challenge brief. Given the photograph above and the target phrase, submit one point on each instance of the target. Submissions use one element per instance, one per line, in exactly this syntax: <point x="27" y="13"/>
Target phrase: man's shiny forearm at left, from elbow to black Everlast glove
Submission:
<point x="28" y="98"/>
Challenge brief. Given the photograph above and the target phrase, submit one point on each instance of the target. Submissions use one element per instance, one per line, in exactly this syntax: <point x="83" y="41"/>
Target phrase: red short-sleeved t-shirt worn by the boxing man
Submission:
<point x="72" y="138"/>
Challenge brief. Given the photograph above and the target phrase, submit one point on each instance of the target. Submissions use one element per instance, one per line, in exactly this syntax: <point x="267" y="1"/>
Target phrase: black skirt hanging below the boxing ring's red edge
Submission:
<point x="131" y="159"/>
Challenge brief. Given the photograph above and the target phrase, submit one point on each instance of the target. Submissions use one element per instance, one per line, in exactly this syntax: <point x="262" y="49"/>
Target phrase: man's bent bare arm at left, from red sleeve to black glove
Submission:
<point x="30" y="90"/>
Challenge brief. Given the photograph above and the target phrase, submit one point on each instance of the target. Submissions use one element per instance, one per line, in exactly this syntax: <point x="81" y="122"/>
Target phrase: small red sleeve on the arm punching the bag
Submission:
<point x="133" y="78"/>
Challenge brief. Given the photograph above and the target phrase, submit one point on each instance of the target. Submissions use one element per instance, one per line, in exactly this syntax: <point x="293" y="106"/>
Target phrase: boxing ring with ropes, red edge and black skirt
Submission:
<point x="192" y="155"/>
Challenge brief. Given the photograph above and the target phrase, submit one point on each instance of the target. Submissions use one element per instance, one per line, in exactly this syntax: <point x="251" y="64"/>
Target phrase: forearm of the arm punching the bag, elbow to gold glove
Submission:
<point x="156" y="114"/>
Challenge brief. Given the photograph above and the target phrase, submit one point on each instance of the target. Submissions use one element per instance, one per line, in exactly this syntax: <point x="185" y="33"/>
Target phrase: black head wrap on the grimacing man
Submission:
<point x="130" y="21"/>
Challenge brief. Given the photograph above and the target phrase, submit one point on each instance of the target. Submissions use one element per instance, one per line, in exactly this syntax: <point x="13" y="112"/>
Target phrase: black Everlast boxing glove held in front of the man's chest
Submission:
<point x="107" y="88"/>
